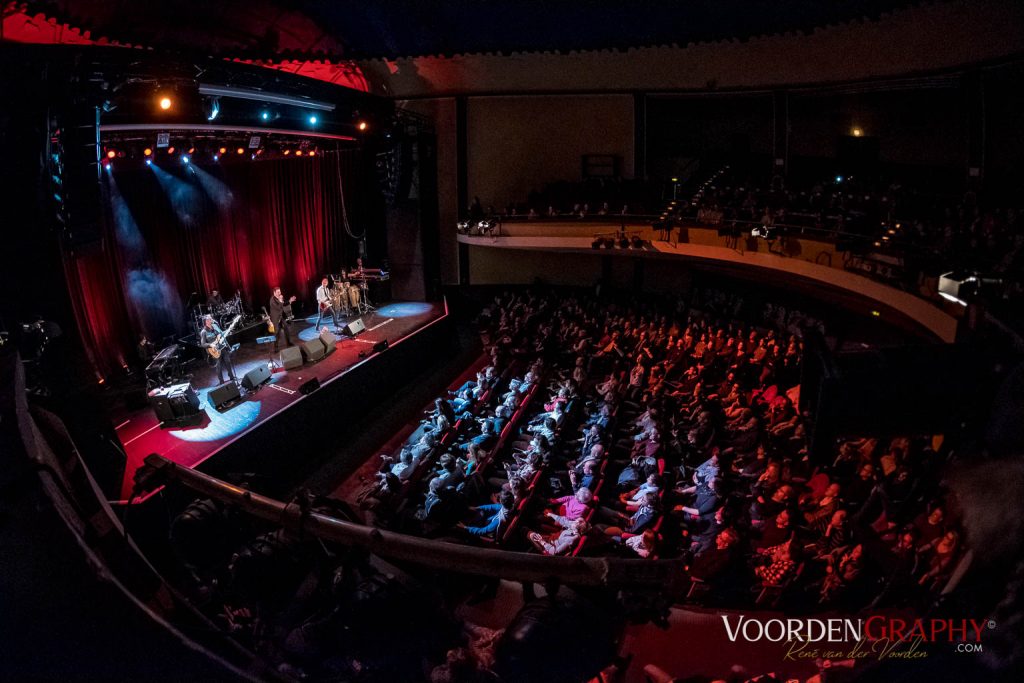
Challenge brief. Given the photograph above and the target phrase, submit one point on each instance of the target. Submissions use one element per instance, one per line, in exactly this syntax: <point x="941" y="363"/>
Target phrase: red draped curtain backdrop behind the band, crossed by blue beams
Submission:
<point x="175" y="232"/>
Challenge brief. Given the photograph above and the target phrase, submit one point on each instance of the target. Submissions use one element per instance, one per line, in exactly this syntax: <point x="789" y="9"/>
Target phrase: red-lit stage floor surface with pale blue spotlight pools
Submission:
<point x="141" y="434"/>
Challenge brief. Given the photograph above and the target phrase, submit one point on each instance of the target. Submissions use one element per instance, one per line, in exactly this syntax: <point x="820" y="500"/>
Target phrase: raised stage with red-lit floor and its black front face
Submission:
<point x="353" y="376"/>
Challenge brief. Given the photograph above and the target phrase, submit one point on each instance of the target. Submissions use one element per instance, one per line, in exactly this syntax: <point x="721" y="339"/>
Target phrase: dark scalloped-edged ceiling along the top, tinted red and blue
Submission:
<point x="410" y="28"/>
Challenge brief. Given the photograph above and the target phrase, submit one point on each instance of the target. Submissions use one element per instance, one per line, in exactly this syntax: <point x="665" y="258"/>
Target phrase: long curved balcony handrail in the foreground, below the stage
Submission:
<point x="662" y="575"/>
